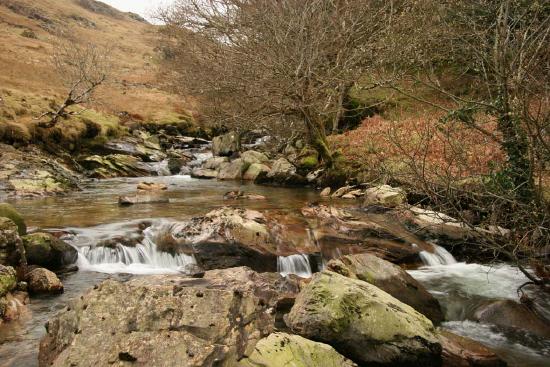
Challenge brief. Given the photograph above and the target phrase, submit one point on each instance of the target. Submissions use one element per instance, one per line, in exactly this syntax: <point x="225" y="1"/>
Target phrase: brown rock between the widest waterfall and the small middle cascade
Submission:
<point x="229" y="237"/>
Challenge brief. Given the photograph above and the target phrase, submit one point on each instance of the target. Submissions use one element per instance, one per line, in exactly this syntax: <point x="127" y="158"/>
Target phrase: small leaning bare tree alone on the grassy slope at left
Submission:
<point x="82" y="68"/>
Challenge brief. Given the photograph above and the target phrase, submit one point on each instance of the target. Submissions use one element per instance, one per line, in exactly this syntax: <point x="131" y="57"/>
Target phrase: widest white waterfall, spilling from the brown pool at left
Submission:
<point x="143" y="258"/>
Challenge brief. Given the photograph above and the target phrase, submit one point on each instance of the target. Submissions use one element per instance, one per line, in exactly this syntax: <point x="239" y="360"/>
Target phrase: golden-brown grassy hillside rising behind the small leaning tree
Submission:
<point x="28" y="82"/>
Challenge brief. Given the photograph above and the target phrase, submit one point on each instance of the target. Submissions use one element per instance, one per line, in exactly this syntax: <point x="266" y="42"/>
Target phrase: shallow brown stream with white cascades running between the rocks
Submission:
<point x="92" y="215"/>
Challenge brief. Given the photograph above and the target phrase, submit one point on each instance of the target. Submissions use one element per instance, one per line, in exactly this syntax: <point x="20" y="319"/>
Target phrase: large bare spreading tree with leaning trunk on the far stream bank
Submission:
<point x="277" y="64"/>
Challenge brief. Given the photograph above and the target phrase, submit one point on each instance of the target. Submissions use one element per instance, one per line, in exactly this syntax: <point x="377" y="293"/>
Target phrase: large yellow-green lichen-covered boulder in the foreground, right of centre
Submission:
<point x="363" y="323"/>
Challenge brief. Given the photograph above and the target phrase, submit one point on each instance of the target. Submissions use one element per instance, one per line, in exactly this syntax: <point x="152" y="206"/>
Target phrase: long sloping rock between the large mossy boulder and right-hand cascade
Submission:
<point x="391" y="279"/>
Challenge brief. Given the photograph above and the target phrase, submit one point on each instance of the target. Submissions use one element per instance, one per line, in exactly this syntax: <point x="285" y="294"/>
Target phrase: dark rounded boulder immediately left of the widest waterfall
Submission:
<point x="45" y="250"/>
